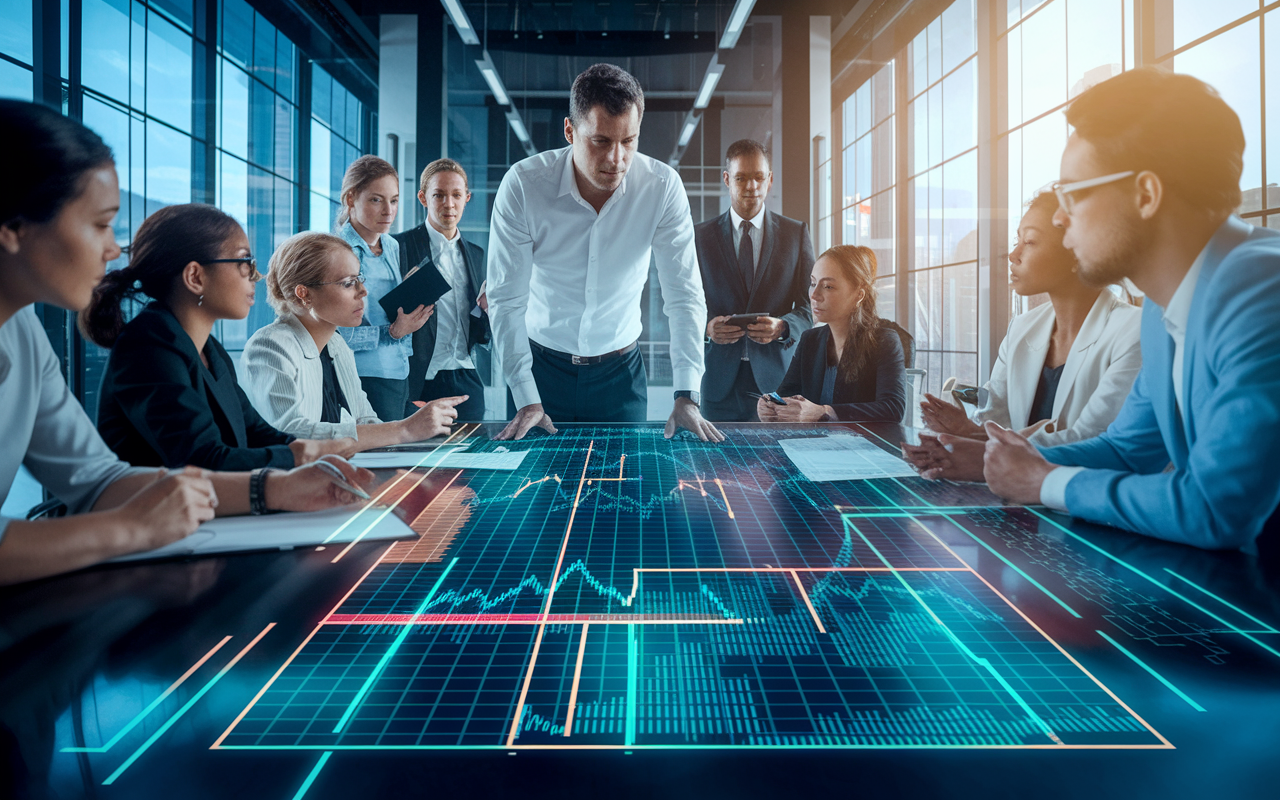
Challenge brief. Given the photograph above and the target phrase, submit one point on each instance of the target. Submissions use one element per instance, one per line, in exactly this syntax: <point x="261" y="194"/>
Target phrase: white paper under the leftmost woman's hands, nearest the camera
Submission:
<point x="285" y="532"/>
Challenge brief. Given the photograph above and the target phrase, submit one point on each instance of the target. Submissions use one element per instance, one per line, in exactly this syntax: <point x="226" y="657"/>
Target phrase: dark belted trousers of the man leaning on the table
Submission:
<point x="614" y="391"/>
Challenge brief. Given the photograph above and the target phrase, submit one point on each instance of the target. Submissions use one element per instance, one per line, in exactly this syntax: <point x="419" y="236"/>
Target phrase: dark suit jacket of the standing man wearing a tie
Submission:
<point x="781" y="289"/>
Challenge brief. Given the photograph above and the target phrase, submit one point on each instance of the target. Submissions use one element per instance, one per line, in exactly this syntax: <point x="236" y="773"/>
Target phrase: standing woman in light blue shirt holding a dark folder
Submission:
<point x="371" y="200"/>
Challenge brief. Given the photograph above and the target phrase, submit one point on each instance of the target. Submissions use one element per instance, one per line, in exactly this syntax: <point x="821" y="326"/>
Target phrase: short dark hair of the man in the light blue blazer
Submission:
<point x="1172" y="125"/>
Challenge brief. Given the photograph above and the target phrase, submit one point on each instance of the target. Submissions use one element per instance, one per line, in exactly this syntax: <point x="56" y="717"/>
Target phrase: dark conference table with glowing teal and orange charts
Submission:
<point x="625" y="615"/>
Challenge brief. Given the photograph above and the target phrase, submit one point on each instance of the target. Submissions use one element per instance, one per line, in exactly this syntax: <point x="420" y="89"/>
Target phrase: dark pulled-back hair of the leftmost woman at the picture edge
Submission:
<point x="49" y="157"/>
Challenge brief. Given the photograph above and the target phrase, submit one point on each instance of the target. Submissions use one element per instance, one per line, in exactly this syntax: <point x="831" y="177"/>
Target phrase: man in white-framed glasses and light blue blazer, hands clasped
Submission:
<point x="1150" y="184"/>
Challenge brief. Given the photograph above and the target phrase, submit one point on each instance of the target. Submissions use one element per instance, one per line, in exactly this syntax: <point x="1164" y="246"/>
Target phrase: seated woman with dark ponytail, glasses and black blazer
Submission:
<point x="170" y="394"/>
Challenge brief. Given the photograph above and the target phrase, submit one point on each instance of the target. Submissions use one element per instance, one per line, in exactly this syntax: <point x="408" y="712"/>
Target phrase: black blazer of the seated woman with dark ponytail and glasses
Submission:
<point x="161" y="408"/>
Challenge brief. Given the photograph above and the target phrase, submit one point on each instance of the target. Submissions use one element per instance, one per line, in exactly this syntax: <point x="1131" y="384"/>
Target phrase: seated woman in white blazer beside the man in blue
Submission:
<point x="1067" y="367"/>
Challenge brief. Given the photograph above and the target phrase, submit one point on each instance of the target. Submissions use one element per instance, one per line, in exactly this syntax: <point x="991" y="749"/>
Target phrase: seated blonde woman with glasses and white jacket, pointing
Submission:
<point x="304" y="377"/>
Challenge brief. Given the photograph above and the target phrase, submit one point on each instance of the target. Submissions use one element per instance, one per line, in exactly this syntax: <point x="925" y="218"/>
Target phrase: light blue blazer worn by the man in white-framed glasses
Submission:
<point x="1206" y="477"/>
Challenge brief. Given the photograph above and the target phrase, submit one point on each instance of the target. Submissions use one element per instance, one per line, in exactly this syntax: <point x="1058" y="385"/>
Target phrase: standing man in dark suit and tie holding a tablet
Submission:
<point x="752" y="262"/>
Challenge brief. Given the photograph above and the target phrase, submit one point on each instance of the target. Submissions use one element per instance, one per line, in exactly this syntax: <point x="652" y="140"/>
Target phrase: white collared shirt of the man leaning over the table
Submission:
<point x="572" y="280"/>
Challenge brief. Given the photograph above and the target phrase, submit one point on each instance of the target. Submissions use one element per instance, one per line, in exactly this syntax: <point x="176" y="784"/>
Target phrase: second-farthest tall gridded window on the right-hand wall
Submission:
<point x="943" y="193"/>
